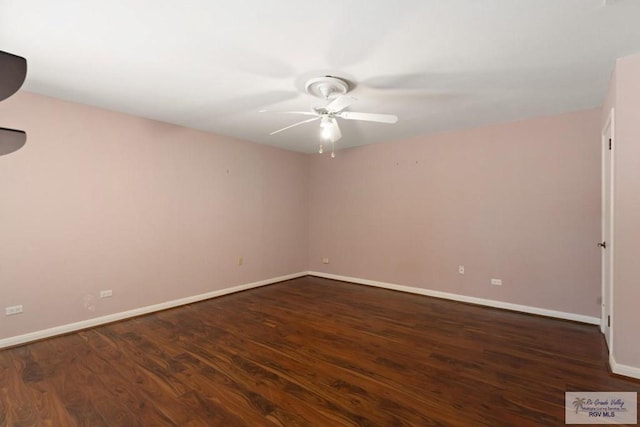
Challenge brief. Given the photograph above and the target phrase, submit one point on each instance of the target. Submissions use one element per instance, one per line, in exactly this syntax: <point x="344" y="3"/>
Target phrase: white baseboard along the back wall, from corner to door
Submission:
<point x="463" y="298"/>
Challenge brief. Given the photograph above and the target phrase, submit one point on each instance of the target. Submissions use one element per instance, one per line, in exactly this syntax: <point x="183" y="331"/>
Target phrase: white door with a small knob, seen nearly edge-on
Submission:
<point x="606" y="244"/>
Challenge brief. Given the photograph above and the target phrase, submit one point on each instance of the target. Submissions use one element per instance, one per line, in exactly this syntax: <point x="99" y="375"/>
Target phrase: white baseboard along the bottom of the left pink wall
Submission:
<point x="73" y="327"/>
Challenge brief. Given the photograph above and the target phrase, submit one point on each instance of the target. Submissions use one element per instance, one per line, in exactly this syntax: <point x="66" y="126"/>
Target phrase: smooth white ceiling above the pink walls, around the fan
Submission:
<point x="213" y="65"/>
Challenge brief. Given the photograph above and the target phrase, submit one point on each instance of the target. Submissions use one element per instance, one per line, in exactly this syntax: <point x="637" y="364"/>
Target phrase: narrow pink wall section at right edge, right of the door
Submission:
<point x="626" y="343"/>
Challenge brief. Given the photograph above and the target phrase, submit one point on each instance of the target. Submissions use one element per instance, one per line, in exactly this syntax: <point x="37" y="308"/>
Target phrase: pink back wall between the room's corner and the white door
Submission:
<point x="518" y="201"/>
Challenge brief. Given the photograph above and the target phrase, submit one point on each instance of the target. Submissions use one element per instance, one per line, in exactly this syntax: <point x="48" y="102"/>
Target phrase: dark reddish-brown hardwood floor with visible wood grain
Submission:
<point x="309" y="351"/>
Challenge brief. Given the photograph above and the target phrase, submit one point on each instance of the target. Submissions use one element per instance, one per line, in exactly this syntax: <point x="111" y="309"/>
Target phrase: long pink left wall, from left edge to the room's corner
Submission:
<point x="155" y="212"/>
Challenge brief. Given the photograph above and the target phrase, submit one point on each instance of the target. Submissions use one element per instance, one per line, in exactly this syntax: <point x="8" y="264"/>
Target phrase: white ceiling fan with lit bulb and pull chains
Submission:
<point x="333" y="89"/>
